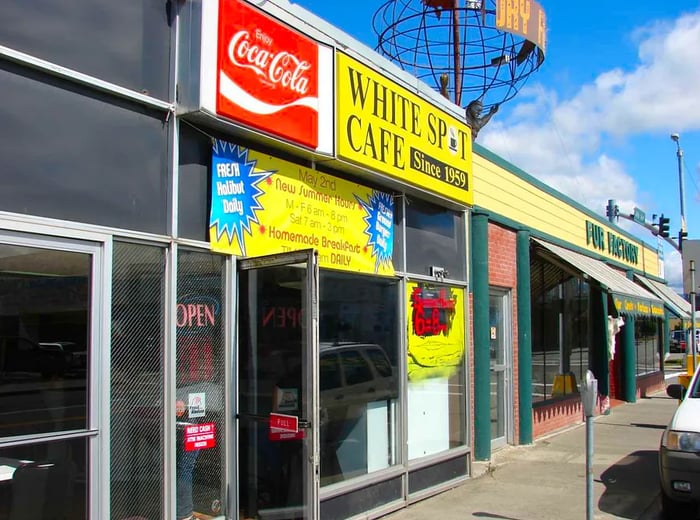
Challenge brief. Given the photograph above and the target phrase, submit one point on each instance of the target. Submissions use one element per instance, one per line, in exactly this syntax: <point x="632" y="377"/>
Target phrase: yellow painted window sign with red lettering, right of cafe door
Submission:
<point x="435" y="330"/>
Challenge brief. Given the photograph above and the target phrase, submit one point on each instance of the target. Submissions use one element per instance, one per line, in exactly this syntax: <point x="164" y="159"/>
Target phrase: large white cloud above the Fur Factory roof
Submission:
<point x="559" y="140"/>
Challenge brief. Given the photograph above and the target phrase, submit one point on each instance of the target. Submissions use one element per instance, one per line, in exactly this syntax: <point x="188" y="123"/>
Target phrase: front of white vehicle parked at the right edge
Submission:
<point x="679" y="453"/>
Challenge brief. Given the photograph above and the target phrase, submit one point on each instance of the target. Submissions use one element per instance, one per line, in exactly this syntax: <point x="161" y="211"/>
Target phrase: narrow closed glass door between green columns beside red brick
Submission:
<point x="500" y="349"/>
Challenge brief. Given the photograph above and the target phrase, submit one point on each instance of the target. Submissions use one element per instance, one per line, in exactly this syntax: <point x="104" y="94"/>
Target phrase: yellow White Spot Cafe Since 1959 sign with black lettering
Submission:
<point x="387" y="128"/>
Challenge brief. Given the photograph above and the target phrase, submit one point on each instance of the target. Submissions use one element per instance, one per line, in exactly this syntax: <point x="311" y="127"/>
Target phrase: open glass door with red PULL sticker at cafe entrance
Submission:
<point x="277" y="381"/>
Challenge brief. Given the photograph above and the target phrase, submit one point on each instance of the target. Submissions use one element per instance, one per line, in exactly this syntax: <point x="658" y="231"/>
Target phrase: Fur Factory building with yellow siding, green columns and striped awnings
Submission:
<point x="585" y="295"/>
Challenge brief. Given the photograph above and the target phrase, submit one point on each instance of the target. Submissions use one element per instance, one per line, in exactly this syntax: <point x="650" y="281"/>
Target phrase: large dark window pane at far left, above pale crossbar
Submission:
<point x="44" y="339"/>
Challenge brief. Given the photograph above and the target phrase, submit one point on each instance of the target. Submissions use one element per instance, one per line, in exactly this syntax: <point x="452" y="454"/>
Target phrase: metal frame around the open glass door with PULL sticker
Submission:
<point x="311" y="390"/>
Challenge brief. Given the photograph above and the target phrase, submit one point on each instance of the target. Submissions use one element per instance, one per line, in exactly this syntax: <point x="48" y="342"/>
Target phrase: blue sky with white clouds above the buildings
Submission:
<point x="595" y="120"/>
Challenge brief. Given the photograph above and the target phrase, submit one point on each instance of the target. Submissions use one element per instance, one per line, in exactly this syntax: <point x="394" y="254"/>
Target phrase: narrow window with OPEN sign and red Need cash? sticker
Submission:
<point x="199" y="405"/>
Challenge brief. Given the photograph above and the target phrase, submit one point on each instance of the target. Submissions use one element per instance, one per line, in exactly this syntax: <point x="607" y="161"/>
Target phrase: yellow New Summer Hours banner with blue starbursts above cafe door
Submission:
<point x="263" y="205"/>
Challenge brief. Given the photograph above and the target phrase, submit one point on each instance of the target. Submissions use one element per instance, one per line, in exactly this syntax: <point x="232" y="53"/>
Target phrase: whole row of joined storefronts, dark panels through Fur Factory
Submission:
<point x="267" y="277"/>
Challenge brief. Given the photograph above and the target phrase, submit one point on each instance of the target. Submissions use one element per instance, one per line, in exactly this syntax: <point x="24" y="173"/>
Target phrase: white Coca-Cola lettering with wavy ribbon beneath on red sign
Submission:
<point x="280" y="68"/>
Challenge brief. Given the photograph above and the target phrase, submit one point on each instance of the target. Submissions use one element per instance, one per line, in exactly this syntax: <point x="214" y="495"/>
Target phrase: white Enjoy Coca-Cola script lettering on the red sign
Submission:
<point x="281" y="67"/>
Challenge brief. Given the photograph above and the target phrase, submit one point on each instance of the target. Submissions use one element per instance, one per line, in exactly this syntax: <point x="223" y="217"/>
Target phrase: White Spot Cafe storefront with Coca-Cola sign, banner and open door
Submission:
<point x="323" y="349"/>
